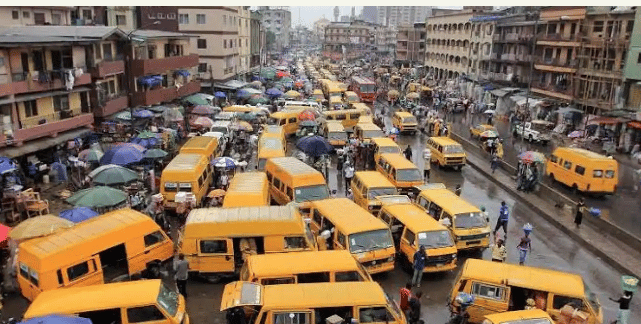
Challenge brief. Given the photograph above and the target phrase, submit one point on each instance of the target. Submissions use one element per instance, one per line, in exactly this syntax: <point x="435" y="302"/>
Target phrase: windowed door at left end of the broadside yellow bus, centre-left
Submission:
<point x="215" y="255"/>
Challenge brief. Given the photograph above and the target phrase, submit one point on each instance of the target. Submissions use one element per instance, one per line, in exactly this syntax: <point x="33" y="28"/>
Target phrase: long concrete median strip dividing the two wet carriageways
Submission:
<point x="617" y="253"/>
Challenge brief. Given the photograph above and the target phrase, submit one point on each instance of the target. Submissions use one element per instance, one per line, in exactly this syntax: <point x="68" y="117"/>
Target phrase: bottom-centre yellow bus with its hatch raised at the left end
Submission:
<point x="364" y="302"/>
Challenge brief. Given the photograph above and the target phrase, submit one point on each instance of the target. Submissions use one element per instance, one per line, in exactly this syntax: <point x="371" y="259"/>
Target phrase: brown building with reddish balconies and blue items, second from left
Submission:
<point x="162" y="68"/>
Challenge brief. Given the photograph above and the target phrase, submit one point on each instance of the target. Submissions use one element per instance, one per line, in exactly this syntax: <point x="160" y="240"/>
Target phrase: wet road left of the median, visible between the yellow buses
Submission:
<point x="551" y="249"/>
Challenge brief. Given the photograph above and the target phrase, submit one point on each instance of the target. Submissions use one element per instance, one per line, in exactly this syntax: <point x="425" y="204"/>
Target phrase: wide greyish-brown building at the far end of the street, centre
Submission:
<point x="348" y="40"/>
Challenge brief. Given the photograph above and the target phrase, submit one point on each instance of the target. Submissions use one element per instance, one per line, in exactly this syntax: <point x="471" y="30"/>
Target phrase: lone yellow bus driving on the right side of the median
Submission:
<point x="583" y="170"/>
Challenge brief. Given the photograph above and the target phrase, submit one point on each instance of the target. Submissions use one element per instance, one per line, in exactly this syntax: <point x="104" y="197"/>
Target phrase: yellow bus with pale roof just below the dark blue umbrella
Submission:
<point x="292" y="180"/>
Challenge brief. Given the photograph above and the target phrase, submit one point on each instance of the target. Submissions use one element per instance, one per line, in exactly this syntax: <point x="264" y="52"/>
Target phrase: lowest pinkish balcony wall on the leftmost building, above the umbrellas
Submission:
<point x="49" y="125"/>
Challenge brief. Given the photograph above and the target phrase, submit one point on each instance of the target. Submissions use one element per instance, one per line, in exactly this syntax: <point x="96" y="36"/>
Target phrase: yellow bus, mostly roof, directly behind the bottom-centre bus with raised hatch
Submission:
<point x="303" y="267"/>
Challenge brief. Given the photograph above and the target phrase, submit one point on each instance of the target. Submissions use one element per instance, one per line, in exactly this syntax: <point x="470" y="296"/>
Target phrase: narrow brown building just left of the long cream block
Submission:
<point x="410" y="44"/>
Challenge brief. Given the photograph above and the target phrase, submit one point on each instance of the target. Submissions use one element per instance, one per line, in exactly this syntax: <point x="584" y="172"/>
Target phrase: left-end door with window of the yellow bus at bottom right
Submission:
<point x="488" y="299"/>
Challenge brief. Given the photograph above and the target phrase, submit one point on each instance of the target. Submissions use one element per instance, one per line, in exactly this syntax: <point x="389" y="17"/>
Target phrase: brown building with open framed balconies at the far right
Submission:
<point x="601" y="58"/>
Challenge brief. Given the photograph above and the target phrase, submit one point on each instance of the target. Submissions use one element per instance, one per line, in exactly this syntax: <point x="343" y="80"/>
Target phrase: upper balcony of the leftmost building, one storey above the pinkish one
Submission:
<point x="39" y="81"/>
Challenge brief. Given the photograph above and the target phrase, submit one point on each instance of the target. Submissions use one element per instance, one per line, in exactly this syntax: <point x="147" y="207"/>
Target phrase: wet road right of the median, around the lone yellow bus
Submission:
<point x="615" y="208"/>
